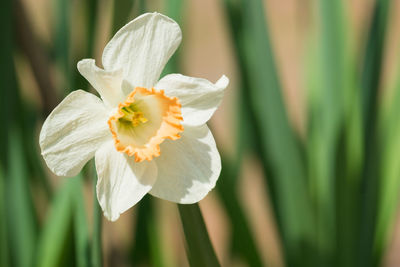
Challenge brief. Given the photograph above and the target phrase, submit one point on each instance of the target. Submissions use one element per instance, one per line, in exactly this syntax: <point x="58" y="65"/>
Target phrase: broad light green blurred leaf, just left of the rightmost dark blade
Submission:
<point x="331" y="87"/>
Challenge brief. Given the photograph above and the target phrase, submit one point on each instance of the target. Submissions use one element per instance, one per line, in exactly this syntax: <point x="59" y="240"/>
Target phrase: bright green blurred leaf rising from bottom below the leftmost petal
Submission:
<point x="56" y="233"/>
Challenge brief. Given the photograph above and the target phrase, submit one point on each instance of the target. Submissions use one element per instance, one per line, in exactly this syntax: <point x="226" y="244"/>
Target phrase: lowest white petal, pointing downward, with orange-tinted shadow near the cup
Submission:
<point x="122" y="182"/>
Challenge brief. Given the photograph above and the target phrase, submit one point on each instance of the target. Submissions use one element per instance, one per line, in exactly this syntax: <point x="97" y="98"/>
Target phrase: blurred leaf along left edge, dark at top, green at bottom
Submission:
<point x="19" y="211"/>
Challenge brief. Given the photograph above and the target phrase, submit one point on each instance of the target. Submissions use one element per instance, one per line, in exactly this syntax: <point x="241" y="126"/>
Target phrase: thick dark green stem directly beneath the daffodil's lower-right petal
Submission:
<point x="198" y="245"/>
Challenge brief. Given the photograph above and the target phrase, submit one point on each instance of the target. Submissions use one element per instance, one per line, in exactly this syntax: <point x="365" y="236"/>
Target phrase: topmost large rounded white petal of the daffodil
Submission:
<point x="142" y="48"/>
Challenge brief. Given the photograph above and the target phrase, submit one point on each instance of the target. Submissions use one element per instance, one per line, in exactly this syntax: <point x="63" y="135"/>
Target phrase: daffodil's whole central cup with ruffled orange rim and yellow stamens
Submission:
<point x="144" y="121"/>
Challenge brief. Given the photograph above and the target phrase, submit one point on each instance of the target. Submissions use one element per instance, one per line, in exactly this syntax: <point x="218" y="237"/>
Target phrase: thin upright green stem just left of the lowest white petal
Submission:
<point x="97" y="259"/>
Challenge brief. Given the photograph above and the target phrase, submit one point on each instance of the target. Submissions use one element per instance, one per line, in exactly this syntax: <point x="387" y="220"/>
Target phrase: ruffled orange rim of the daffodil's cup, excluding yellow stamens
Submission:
<point x="168" y="128"/>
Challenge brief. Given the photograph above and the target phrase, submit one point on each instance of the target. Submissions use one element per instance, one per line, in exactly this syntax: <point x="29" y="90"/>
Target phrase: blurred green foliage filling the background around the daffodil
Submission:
<point x="334" y="192"/>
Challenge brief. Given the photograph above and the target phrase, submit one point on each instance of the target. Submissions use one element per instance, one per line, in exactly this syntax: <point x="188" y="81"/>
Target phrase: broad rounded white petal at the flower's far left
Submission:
<point x="73" y="132"/>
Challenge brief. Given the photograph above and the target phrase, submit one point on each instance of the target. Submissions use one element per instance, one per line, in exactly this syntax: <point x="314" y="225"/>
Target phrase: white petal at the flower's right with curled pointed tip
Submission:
<point x="199" y="97"/>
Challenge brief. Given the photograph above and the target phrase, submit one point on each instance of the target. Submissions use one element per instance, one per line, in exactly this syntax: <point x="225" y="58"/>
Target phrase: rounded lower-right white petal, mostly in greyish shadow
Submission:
<point x="188" y="168"/>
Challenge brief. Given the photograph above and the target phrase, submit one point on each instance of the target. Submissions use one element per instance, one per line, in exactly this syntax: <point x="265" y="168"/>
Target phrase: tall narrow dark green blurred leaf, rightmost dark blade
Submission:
<point x="370" y="81"/>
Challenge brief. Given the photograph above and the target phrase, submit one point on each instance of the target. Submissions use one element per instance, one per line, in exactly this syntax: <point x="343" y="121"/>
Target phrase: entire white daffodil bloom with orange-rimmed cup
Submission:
<point x="147" y="136"/>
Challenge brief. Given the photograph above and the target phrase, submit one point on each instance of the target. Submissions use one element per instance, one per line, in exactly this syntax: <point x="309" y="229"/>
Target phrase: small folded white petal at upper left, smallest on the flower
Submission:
<point x="107" y="83"/>
